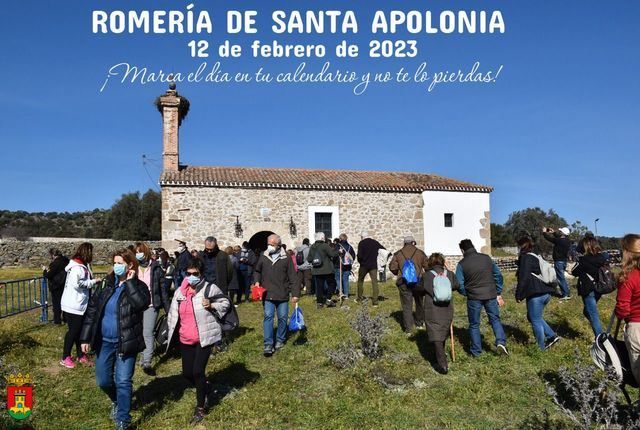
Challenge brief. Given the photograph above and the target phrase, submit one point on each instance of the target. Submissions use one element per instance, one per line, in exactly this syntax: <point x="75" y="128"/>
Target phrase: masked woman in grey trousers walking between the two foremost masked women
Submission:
<point x="152" y="275"/>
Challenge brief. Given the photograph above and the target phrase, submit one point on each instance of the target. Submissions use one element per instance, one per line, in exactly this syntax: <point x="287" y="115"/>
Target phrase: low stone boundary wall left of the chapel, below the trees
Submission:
<point x="36" y="253"/>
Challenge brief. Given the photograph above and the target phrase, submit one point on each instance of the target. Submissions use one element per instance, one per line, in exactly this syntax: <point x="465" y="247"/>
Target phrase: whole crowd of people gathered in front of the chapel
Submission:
<point x="115" y="317"/>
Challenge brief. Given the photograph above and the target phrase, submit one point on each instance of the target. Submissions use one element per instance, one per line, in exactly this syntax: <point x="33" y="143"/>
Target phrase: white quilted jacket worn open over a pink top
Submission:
<point x="209" y="330"/>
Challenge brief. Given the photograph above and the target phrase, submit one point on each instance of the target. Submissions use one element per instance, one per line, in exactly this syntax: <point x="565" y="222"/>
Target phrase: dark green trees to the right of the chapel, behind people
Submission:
<point x="531" y="220"/>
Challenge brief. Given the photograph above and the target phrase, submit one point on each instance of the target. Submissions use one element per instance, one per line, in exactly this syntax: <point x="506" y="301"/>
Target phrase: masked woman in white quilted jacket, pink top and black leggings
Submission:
<point x="193" y="321"/>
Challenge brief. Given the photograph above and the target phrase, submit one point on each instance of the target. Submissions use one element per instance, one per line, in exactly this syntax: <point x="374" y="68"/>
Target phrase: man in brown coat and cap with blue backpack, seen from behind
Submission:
<point x="410" y="292"/>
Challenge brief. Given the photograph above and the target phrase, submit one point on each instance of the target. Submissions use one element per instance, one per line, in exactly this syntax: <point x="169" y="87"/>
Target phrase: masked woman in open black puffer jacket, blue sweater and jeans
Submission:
<point x="113" y="328"/>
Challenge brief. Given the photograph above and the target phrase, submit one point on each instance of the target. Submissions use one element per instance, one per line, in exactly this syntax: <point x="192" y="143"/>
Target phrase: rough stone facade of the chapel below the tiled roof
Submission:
<point x="192" y="213"/>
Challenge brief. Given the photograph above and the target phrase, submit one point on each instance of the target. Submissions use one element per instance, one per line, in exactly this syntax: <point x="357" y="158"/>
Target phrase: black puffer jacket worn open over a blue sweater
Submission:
<point x="132" y="303"/>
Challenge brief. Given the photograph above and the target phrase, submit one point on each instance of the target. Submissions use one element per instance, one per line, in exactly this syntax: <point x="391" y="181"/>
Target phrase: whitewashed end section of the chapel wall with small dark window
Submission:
<point x="468" y="209"/>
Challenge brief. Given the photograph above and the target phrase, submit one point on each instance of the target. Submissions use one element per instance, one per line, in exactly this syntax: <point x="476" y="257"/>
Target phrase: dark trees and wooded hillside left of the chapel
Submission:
<point x="132" y="216"/>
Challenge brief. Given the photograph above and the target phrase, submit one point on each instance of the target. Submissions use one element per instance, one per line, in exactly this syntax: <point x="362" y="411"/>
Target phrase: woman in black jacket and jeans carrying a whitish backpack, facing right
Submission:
<point x="536" y="293"/>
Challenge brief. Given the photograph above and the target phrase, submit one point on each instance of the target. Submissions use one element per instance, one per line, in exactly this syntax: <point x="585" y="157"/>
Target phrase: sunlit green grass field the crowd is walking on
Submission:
<point x="298" y="388"/>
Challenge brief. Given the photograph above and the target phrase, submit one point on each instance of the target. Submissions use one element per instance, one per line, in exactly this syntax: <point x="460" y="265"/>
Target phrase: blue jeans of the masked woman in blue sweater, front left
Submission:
<point x="114" y="375"/>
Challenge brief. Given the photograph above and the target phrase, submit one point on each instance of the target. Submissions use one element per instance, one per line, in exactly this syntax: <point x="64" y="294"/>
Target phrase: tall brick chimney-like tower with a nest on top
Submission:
<point x="169" y="105"/>
